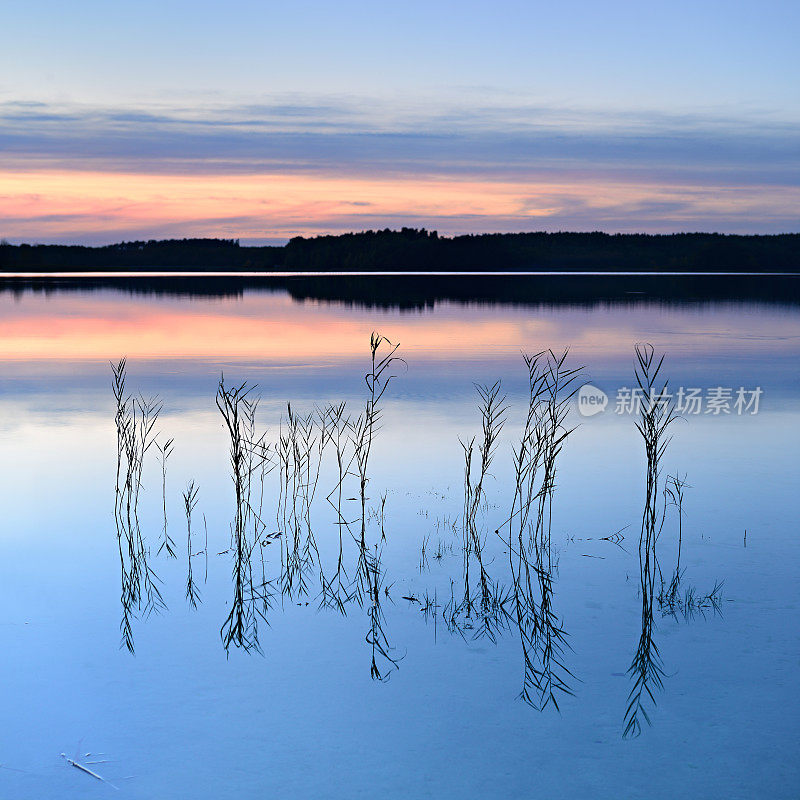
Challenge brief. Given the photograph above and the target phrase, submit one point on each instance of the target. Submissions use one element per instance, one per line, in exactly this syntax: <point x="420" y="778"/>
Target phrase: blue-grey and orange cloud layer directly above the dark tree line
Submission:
<point x="295" y="166"/>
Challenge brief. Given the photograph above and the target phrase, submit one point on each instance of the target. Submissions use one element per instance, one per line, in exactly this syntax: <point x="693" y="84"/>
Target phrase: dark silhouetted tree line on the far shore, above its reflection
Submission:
<point x="412" y="249"/>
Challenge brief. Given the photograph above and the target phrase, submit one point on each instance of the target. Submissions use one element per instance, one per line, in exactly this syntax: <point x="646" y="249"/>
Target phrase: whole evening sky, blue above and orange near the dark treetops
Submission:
<point x="262" y="121"/>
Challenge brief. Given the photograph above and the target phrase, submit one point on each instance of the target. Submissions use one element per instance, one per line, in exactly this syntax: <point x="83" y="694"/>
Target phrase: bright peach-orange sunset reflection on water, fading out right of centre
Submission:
<point x="270" y="328"/>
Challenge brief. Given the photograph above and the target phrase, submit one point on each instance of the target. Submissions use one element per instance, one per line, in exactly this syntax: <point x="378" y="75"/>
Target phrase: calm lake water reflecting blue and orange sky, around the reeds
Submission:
<point x="306" y="716"/>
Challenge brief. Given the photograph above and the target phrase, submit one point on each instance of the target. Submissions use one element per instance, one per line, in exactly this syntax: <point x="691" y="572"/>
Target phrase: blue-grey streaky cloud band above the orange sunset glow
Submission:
<point x="361" y="138"/>
